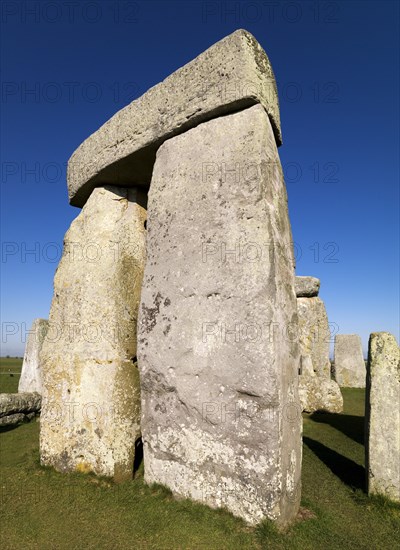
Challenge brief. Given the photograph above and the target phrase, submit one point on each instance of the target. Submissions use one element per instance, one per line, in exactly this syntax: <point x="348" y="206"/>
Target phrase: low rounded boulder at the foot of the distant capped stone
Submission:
<point x="317" y="393"/>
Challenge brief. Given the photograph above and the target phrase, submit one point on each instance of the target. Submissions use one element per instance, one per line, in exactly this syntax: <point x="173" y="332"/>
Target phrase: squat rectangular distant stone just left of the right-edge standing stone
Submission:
<point x="349" y="361"/>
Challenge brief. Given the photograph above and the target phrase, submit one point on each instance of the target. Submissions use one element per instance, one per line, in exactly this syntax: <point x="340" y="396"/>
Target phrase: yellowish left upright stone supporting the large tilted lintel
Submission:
<point x="91" y="402"/>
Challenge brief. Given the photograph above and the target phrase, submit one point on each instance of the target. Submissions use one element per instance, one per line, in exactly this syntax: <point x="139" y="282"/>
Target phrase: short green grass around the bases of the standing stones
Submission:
<point x="41" y="509"/>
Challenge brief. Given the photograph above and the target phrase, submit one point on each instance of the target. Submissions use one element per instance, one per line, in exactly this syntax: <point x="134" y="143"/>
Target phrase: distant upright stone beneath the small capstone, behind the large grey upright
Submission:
<point x="314" y="334"/>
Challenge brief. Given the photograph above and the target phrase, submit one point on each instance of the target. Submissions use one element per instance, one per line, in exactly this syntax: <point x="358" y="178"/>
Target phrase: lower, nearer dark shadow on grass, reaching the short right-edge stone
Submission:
<point x="348" y="471"/>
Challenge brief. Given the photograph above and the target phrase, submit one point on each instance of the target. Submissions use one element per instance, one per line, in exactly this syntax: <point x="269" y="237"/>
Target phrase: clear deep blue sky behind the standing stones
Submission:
<point x="67" y="68"/>
